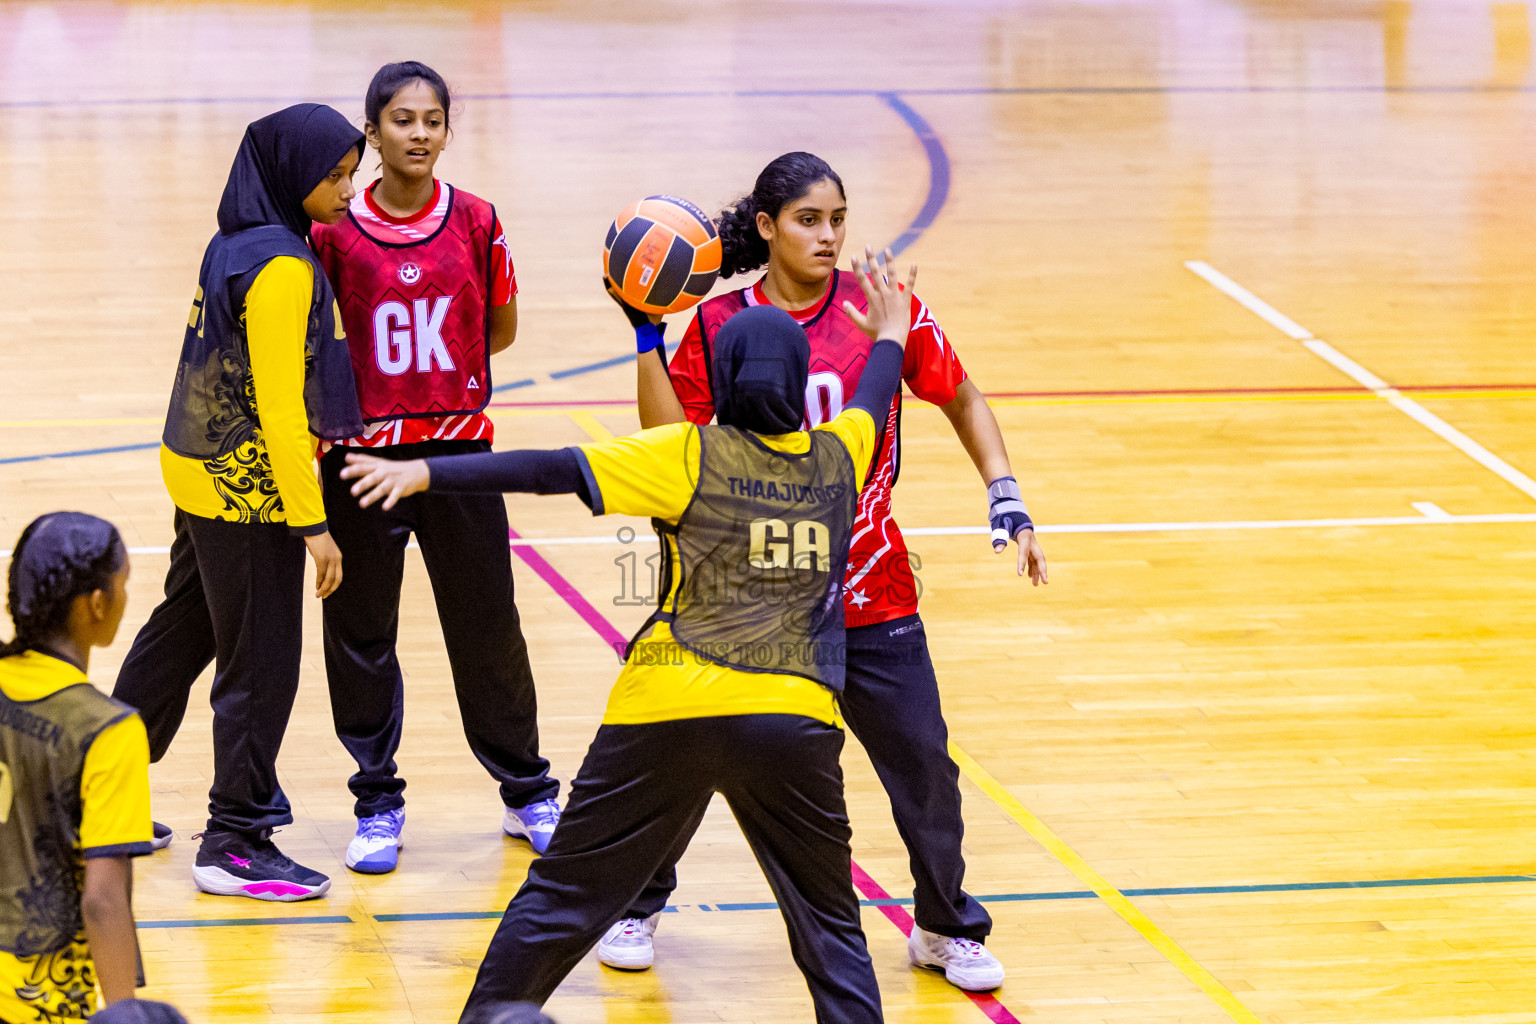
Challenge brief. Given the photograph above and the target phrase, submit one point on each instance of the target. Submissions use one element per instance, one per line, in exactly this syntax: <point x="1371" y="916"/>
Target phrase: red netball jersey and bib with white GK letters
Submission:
<point x="420" y="308"/>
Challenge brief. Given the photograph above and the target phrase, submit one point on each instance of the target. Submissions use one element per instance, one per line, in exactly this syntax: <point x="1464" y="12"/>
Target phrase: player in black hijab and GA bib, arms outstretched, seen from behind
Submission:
<point x="732" y="685"/>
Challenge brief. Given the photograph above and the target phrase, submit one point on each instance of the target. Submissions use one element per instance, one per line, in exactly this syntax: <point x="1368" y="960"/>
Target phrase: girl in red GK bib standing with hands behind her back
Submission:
<point x="428" y="294"/>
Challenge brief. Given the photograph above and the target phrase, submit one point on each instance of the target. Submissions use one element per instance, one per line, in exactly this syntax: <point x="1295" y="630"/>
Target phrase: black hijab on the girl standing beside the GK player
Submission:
<point x="280" y="162"/>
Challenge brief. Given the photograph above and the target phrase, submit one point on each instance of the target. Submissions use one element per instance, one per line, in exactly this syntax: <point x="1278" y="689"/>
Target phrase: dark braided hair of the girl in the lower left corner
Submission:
<point x="59" y="558"/>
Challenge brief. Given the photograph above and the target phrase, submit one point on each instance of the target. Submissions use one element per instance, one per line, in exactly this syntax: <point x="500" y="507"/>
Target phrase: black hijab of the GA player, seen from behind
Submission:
<point x="758" y="372"/>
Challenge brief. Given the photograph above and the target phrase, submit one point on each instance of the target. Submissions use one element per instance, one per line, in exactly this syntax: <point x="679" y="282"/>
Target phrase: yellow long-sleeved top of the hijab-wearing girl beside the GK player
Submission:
<point x="271" y="478"/>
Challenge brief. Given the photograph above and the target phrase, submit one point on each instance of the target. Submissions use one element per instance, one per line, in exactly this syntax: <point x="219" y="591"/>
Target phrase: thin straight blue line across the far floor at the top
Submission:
<point x="773" y="94"/>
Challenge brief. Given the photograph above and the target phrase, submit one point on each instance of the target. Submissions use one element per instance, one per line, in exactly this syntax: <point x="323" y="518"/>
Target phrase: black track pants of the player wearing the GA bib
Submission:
<point x="638" y="801"/>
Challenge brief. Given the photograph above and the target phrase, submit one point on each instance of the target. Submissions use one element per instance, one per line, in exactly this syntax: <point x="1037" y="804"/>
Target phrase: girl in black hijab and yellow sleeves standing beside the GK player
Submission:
<point x="263" y="377"/>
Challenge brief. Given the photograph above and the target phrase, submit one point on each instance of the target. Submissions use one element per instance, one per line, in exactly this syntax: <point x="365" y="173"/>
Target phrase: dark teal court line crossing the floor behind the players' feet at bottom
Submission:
<point x="904" y="902"/>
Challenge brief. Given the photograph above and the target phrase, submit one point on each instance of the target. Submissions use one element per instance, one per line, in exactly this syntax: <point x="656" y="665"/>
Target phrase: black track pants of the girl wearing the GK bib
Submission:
<point x="465" y="544"/>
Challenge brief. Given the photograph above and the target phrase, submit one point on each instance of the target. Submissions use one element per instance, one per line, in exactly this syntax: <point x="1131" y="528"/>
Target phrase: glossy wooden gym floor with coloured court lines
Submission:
<point x="1253" y="289"/>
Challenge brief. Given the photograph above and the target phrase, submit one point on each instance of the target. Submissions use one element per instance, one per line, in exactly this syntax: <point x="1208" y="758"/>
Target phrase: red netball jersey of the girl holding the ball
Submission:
<point x="879" y="584"/>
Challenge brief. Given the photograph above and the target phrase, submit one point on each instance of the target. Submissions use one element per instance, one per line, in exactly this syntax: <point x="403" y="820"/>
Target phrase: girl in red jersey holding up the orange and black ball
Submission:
<point x="793" y="222"/>
